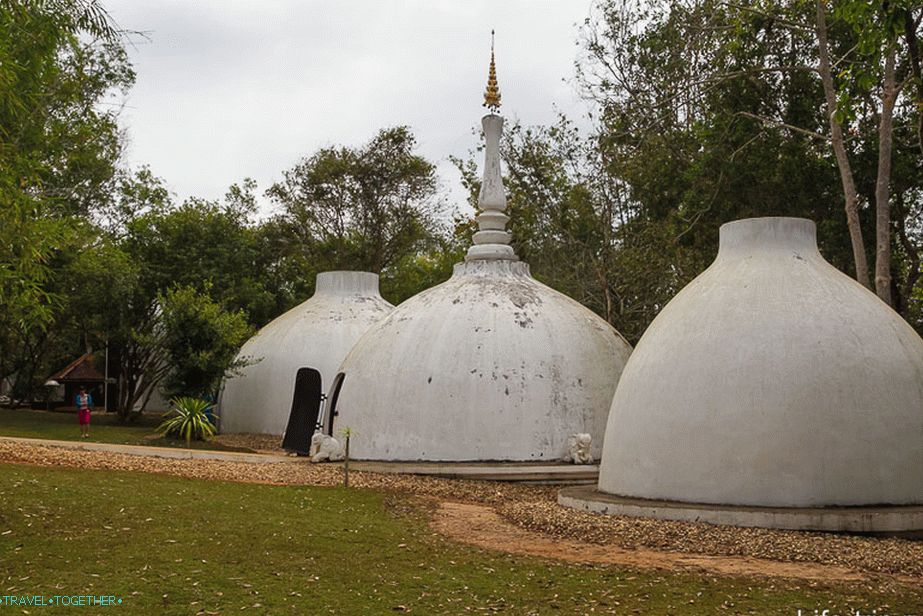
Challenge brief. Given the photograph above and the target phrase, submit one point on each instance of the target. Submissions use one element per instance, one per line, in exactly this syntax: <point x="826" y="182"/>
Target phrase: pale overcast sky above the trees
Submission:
<point x="228" y="90"/>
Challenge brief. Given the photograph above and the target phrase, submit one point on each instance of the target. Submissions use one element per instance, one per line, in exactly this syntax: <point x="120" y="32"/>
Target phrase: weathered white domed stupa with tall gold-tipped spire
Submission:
<point x="490" y="365"/>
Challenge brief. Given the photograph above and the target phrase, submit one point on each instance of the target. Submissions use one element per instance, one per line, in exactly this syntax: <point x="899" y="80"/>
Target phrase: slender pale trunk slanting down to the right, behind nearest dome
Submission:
<point x="839" y="149"/>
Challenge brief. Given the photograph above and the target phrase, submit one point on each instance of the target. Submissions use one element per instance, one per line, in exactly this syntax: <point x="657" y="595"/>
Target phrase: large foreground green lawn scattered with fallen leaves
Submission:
<point x="167" y="545"/>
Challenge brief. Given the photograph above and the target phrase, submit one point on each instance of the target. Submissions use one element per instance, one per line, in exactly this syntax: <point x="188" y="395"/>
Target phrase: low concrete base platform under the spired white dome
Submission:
<point x="524" y="472"/>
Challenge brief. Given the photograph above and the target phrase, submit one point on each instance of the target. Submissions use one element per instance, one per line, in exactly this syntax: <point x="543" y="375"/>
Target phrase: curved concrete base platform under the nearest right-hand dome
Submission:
<point x="894" y="520"/>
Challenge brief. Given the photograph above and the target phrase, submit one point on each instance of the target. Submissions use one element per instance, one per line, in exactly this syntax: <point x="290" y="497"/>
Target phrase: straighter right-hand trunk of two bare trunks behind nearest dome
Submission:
<point x="883" y="184"/>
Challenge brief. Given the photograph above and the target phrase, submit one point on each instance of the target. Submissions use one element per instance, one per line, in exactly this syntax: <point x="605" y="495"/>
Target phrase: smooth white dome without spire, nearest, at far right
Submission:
<point x="772" y="379"/>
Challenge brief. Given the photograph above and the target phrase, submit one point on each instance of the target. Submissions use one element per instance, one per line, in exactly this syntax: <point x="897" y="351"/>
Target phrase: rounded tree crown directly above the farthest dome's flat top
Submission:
<point x="361" y="208"/>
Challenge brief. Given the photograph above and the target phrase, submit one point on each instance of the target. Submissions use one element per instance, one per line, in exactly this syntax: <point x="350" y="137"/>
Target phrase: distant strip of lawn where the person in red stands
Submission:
<point x="103" y="429"/>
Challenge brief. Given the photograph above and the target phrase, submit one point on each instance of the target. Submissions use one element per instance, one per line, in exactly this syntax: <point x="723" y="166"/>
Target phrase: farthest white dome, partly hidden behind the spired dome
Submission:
<point x="317" y="333"/>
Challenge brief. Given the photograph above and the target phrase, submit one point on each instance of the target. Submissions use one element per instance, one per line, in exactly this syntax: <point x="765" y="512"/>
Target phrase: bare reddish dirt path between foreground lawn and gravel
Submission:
<point x="480" y="525"/>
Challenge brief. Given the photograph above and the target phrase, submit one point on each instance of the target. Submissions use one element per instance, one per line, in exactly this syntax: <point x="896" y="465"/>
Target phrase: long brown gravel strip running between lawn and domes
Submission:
<point x="530" y="507"/>
